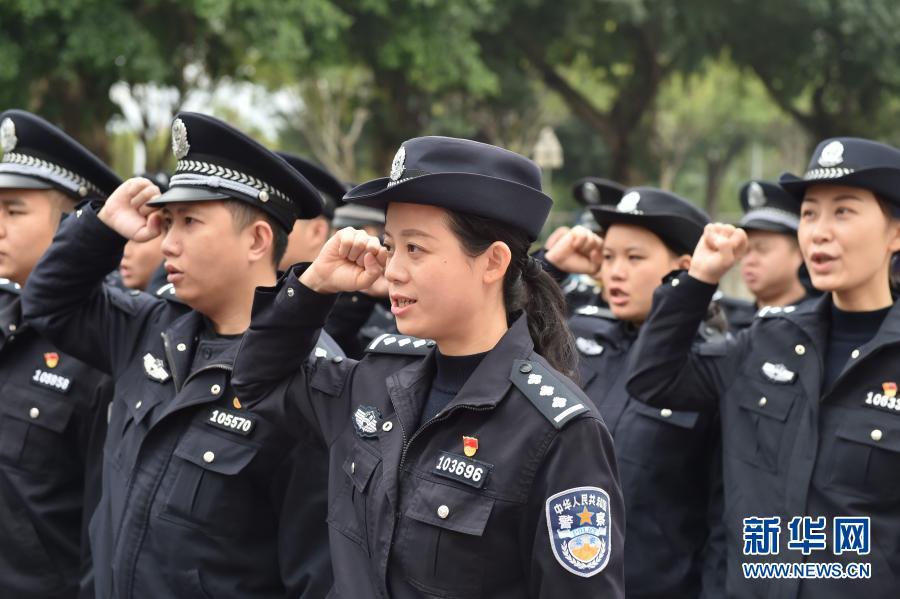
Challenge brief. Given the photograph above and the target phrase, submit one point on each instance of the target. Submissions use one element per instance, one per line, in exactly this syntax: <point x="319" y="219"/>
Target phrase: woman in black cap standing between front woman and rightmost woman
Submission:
<point x="668" y="458"/>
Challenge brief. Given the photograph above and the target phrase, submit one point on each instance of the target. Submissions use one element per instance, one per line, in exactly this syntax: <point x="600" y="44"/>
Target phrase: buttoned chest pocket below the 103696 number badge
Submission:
<point x="442" y="549"/>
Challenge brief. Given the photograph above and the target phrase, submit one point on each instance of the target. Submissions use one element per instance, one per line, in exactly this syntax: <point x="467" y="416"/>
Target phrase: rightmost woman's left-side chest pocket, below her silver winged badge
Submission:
<point x="754" y="431"/>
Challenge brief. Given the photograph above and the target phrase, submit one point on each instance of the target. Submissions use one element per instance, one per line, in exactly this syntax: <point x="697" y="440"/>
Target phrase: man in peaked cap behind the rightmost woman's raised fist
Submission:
<point x="772" y="265"/>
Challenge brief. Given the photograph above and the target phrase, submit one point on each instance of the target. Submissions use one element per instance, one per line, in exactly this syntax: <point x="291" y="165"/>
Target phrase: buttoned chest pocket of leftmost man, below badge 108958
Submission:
<point x="32" y="423"/>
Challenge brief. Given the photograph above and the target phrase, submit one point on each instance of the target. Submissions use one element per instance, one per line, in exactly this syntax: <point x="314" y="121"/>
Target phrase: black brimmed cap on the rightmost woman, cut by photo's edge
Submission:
<point x="853" y="162"/>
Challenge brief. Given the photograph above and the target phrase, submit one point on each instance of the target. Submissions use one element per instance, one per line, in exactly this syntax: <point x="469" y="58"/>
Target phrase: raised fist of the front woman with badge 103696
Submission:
<point x="351" y="260"/>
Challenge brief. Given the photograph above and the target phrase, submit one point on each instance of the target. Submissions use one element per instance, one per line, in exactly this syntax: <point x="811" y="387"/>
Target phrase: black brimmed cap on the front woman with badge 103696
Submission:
<point x="464" y="176"/>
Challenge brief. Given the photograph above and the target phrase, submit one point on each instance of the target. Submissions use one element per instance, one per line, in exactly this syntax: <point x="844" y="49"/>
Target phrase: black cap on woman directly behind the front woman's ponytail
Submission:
<point x="672" y="218"/>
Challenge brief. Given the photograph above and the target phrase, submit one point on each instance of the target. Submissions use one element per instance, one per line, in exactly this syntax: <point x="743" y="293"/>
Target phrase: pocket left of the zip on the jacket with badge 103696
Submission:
<point x="348" y="512"/>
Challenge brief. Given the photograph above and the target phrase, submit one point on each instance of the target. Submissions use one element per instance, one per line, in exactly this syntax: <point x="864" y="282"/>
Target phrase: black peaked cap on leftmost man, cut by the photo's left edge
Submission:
<point x="39" y="155"/>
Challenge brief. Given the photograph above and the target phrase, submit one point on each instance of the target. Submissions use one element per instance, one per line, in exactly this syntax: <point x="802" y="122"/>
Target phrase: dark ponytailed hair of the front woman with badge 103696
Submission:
<point x="525" y="287"/>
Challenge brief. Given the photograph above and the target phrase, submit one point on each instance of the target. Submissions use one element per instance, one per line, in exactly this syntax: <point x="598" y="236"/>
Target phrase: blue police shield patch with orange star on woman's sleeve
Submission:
<point x="578" y="521"/>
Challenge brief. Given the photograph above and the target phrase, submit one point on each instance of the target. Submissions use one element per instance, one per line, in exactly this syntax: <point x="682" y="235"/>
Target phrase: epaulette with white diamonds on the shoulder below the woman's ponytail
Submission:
<point x="550" y="395"/>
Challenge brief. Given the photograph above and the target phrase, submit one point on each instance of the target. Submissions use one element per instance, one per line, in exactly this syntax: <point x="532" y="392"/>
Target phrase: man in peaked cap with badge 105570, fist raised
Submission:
<point x="200" y="498"/>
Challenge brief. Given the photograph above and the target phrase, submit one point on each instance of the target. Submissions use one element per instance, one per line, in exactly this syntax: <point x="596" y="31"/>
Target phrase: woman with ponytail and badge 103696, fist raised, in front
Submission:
<point x="480" y="470"/>
